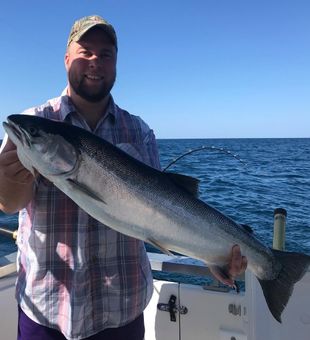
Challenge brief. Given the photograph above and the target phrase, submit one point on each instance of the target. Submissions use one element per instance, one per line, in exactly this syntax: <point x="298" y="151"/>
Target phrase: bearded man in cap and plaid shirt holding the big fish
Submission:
<point x="78" y="279"/>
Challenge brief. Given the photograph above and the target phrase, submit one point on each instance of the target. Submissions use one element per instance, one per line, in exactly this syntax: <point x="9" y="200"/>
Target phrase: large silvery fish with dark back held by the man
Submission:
<point x="157" y="207"/>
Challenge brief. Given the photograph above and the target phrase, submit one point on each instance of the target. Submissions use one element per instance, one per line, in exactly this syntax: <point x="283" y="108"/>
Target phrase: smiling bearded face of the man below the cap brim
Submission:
<point x="91" y="65"/>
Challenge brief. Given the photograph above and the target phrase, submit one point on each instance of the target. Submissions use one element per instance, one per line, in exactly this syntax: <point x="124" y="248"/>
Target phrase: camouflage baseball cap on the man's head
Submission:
<point x="83" y="25"/>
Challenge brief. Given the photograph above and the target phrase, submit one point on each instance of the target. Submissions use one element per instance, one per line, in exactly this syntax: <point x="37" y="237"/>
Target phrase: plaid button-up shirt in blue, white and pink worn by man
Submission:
<point x="76" y="274"/>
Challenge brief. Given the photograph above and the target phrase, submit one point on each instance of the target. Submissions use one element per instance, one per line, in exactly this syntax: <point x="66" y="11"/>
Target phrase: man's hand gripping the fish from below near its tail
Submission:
<point x="236" y="266"/>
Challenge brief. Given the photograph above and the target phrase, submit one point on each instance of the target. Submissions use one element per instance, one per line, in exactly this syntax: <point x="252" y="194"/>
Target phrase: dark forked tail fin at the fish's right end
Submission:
<point x="278" y="291"/>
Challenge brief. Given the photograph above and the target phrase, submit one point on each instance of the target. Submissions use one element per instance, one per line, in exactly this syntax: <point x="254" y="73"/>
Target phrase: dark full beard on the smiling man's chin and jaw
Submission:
<point x="88" y="93"/>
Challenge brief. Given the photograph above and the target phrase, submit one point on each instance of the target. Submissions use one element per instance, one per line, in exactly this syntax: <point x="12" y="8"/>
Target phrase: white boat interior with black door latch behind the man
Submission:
<point x="184" y="311"/>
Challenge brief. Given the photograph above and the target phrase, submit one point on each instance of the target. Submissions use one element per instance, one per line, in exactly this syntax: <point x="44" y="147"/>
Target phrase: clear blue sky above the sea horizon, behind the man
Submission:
<point x="190" y="69"/>
